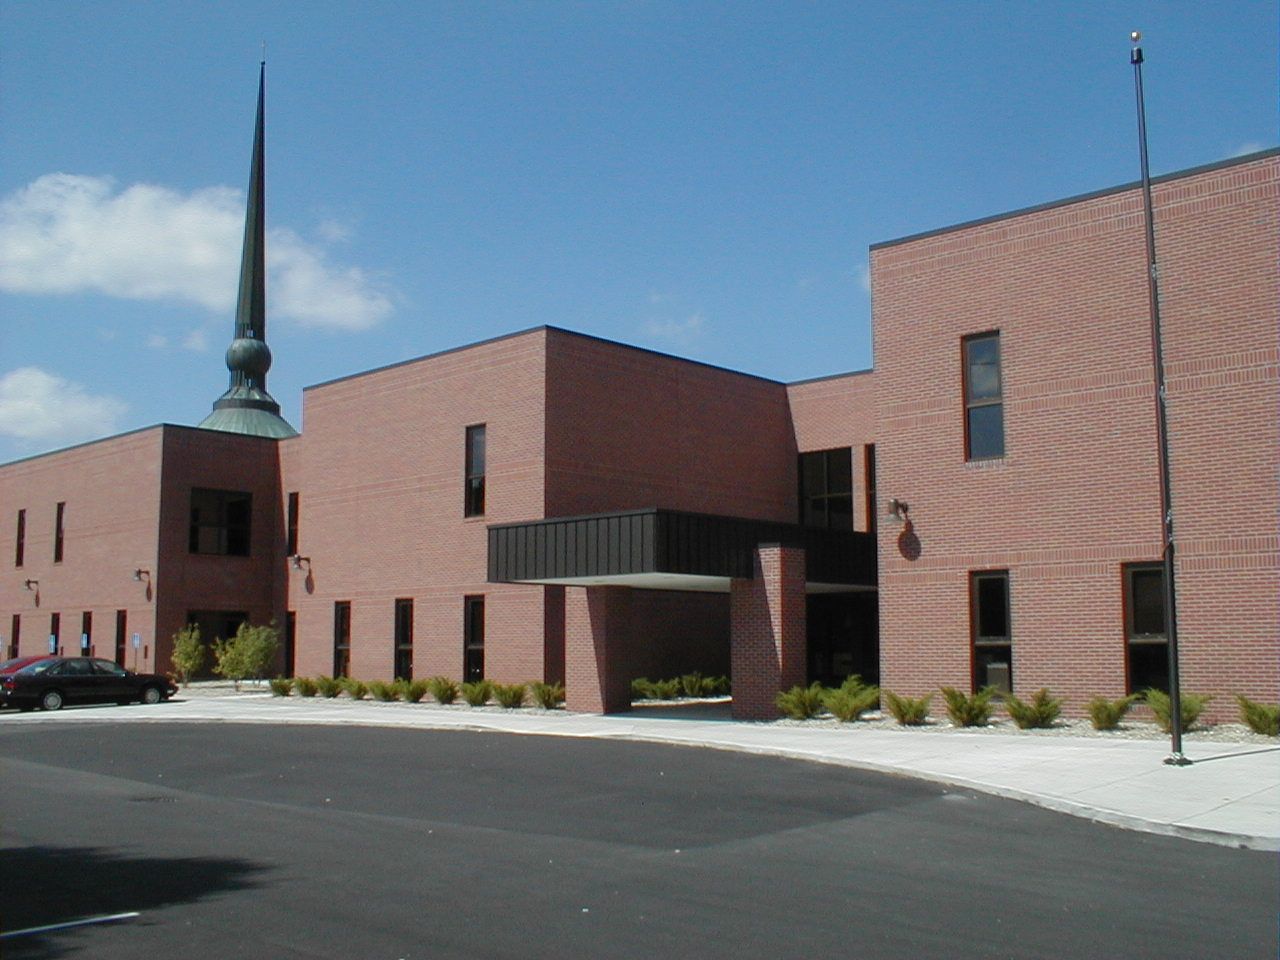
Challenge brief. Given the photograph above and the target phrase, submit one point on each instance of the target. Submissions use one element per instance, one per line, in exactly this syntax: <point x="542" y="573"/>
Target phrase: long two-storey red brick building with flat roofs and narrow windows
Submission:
<point x="551" y="506"/>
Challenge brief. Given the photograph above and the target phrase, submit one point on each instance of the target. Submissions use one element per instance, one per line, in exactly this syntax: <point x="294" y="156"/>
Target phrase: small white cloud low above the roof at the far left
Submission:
<point x="40" y="408"/>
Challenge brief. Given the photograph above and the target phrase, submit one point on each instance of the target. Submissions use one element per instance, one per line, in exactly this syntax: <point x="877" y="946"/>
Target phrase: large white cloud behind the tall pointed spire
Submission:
<point x="68" y="234"/>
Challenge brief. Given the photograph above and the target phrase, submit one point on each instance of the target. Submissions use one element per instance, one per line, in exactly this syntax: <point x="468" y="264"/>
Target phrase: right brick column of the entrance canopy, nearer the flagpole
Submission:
<point x="767" y="632"/>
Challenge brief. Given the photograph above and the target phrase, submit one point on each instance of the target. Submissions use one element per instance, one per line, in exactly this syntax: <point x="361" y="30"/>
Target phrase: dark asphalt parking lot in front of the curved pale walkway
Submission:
<point x="299" y="842"/>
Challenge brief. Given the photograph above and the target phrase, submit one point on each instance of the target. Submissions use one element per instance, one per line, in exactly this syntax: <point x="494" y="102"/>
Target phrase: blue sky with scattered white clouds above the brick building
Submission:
<point x="701" y="179"/>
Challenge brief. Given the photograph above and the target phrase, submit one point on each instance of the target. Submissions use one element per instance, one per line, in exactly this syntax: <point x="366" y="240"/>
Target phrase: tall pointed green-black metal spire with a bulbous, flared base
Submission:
<point x="248" y="408"/>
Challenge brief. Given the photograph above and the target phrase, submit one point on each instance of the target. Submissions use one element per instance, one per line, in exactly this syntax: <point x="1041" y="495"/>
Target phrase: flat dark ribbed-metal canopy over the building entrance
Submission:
<point x="662" y="550"/>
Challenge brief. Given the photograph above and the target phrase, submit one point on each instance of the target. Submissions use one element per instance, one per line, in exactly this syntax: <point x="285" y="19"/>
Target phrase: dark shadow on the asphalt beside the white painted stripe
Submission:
<point x="43" y="885"/>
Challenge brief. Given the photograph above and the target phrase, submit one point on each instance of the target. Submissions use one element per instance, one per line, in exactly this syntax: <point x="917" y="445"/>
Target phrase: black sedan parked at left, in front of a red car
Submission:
<point x="52" y="682"/>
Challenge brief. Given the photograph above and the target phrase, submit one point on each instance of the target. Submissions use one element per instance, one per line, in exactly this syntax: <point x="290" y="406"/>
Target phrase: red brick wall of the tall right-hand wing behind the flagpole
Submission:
<point x="1076" y="495"/>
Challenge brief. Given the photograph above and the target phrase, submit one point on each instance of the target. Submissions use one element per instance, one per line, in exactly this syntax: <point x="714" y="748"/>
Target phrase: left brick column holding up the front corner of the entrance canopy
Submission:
<point x="597" y="650"/>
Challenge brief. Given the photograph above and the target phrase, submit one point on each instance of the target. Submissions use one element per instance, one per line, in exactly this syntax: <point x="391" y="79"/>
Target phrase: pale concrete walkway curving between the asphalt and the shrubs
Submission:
<point x="1229" y="796"/>
